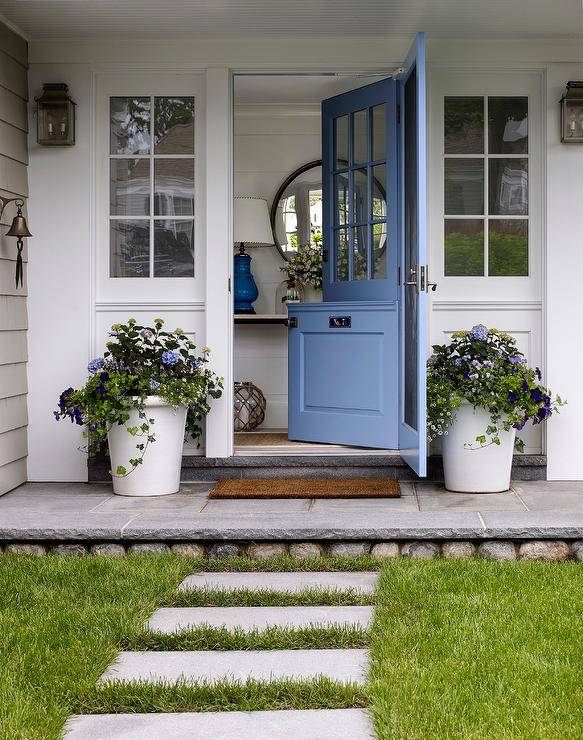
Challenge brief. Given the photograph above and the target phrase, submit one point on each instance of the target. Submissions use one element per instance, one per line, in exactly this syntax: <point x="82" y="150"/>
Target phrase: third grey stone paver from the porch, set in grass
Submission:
<point x="238" y="665"/>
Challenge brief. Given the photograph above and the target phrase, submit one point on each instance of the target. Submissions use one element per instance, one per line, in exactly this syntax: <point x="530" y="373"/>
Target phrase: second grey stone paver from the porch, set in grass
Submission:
<point x="248" y="618"/>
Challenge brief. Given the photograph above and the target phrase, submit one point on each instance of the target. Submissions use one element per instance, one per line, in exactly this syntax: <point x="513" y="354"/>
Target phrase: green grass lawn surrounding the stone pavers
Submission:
<point x="464" y="649"/>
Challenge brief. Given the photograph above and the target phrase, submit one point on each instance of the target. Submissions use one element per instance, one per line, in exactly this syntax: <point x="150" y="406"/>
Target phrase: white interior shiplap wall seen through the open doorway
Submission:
<point x="270" y="142"/>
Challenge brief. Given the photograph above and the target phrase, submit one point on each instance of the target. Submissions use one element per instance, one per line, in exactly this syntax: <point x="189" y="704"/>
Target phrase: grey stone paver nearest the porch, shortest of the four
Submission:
<point x="362" y="582"/>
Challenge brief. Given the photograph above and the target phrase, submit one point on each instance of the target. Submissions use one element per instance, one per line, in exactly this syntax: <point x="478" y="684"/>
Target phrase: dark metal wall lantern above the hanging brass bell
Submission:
<point x="55" y="116"/>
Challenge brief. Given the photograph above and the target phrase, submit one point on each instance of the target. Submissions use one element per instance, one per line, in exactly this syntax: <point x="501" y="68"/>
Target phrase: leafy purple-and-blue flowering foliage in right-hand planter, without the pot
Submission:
<point x="485" y="368"/>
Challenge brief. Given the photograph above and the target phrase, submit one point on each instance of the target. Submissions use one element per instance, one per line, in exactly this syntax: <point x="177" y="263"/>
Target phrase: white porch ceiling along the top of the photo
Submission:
<point x="168" y="19"/>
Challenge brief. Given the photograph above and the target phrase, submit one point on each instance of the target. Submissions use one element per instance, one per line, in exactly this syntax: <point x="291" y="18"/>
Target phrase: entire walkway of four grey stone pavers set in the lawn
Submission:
<point x="192" y="667"/>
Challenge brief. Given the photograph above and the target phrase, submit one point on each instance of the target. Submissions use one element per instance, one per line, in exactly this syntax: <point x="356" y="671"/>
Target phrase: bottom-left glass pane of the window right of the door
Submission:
<point x="464" y="247"/>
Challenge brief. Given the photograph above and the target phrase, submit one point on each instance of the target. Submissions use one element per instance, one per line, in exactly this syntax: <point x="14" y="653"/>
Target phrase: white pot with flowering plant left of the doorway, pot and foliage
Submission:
<point x="148" y="389"/>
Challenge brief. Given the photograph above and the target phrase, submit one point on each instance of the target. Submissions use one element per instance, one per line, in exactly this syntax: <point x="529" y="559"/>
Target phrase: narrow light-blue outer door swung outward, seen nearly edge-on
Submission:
<point x="412" y="154"/>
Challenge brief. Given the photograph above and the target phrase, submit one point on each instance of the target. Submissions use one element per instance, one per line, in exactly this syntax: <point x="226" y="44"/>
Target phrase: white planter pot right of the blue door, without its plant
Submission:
<point x="468" y="467"/>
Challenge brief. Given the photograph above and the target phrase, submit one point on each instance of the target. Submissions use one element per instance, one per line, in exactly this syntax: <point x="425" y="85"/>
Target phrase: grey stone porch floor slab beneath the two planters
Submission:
<point x="75" y="511"/>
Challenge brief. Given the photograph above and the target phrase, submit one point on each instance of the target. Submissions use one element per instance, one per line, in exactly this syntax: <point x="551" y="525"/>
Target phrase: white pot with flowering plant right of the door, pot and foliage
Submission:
<point x="480" y="392"/>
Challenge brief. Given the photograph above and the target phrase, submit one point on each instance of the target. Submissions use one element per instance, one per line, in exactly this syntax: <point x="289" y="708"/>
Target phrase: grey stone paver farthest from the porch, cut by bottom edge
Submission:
<point x="313" y="724"/>
